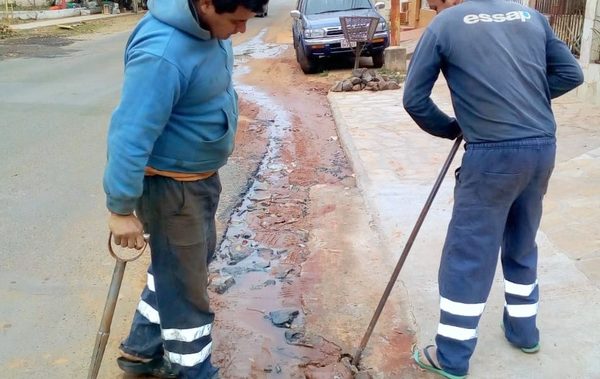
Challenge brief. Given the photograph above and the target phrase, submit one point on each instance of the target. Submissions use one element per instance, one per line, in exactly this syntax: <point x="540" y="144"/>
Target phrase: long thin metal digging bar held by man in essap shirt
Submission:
<point x="409" y="243"/>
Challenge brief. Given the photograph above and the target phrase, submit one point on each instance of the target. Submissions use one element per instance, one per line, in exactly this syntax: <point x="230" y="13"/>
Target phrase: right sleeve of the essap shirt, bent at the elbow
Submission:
<point x="562" y="69"/>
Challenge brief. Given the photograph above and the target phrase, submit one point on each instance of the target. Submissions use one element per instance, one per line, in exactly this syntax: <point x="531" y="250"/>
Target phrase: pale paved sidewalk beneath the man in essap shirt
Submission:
<point x="396" y="164"/>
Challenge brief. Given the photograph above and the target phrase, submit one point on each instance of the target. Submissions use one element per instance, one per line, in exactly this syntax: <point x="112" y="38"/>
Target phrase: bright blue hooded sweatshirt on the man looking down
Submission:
<point x="178" y="109"/>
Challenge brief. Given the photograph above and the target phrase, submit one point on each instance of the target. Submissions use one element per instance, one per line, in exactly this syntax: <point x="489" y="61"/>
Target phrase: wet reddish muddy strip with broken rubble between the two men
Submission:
<point x="264" y="278"/>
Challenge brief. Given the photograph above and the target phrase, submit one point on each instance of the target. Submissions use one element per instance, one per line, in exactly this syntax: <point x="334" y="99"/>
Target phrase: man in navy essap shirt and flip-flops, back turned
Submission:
<point x="503" y="64"/>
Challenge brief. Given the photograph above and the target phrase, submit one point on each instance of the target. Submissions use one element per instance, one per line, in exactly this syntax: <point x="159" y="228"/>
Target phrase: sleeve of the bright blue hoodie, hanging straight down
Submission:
<point x="151" y="88"/>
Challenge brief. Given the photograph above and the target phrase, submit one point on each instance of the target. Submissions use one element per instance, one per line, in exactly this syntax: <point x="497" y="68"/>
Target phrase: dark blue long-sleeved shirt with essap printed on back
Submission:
<point x="503" y="64"/>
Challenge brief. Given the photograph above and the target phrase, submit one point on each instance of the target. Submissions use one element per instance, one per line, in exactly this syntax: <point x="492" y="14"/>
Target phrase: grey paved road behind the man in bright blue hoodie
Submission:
<point x="54" y="270"/>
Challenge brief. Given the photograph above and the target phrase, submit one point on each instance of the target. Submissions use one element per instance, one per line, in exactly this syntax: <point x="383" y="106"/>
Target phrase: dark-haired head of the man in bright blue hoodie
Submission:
<point x="224" y="18"/>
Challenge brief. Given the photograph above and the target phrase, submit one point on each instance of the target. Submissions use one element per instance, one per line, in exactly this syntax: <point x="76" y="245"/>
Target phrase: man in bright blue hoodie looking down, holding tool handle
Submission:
<point x="173" y="129"/>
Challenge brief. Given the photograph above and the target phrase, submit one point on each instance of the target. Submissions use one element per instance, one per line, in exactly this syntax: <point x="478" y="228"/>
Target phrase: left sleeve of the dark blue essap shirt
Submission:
<point x="423" y="71"/>
